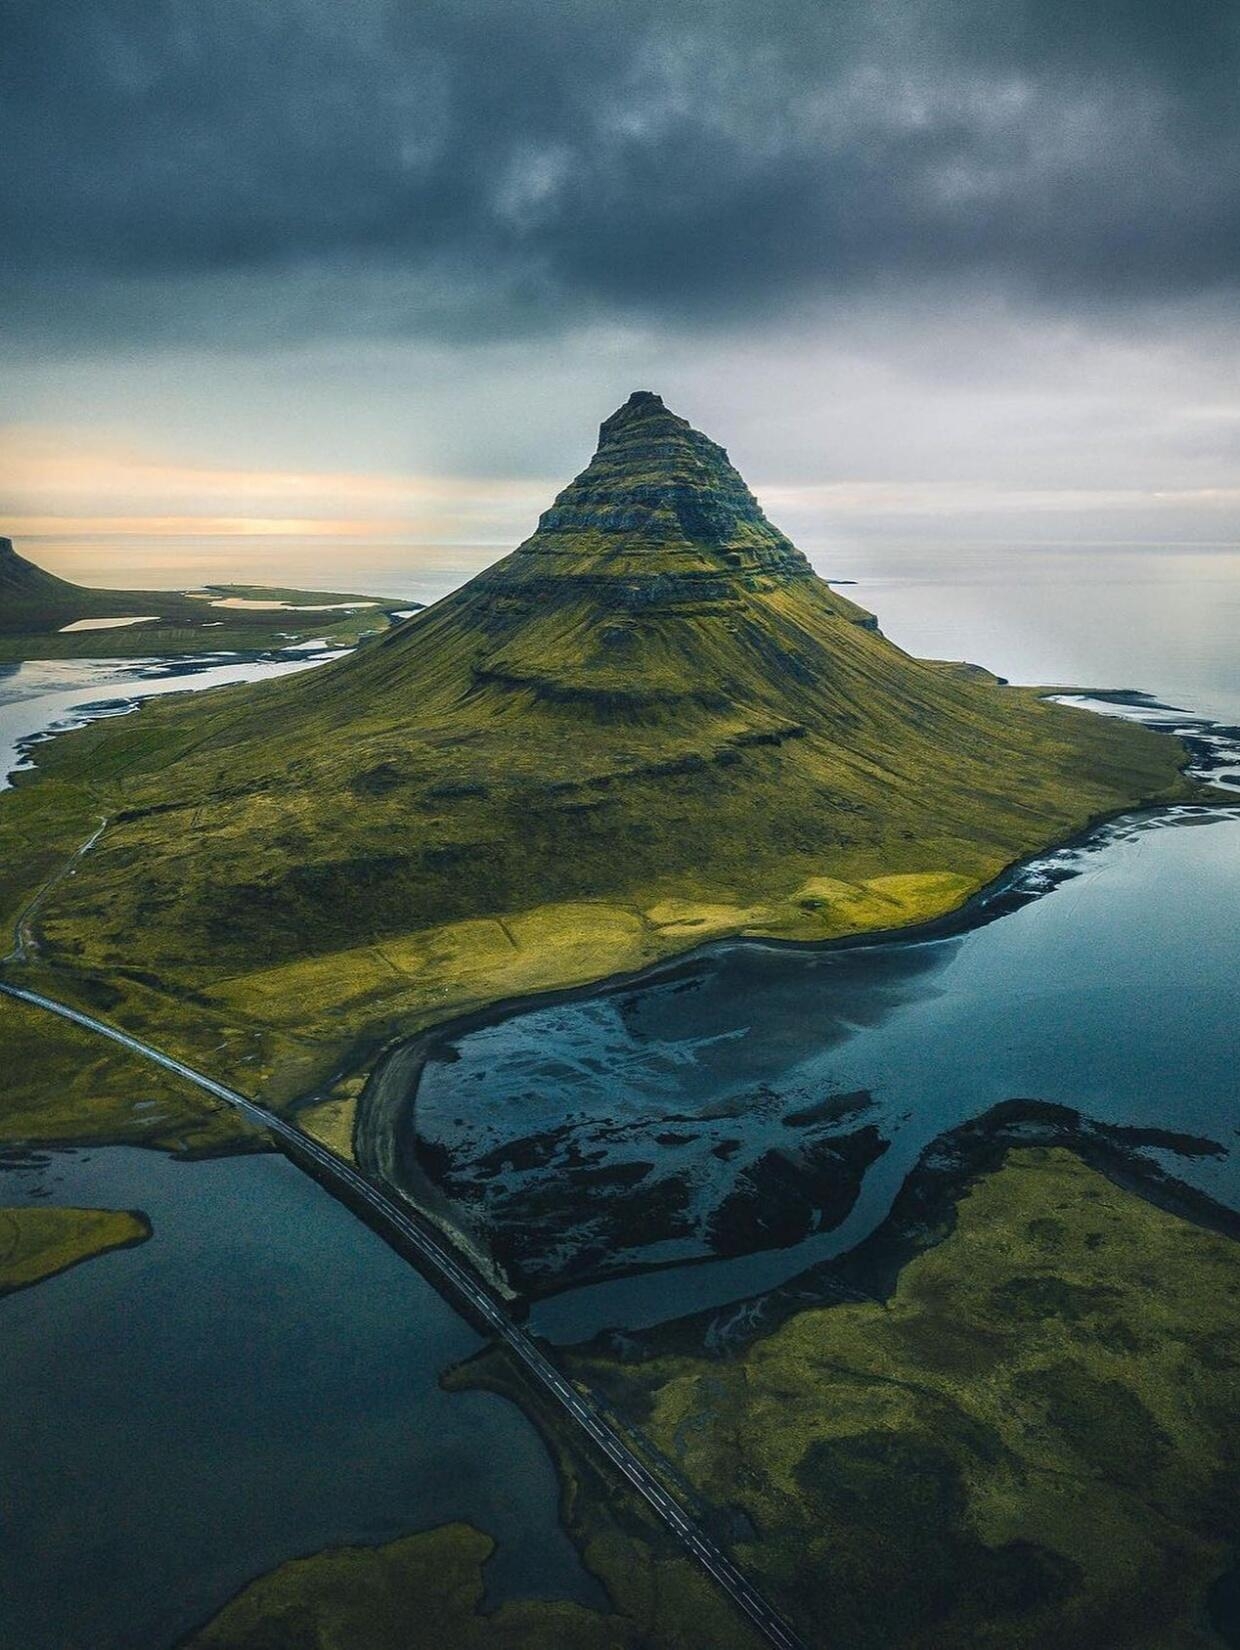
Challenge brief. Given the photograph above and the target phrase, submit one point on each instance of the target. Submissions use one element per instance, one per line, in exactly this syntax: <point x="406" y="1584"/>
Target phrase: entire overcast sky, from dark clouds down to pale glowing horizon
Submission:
<point x="372" y="273"/>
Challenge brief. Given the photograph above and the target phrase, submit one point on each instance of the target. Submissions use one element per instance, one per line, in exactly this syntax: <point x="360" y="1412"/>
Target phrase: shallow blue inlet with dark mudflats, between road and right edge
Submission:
<point x="758" y="1110"/>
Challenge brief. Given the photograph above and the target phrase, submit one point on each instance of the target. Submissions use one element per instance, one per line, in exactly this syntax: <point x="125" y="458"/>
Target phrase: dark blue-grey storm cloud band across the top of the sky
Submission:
<point x="491" y="167"/>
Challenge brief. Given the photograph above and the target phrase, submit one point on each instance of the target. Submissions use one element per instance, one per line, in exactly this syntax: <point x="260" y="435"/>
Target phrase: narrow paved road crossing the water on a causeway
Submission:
<point x="469" y="1291"/>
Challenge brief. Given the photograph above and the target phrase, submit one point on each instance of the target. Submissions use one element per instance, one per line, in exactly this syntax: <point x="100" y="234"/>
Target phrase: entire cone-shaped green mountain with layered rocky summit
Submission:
<point x="649" y="725"/>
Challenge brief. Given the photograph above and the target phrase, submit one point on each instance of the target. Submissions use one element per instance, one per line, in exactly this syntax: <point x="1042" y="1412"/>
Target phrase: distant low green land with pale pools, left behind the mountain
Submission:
<point x="37" y="606"/>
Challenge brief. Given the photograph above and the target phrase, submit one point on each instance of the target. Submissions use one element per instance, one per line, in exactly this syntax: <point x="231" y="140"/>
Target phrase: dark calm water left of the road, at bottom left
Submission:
<point x="256" y="1382"/>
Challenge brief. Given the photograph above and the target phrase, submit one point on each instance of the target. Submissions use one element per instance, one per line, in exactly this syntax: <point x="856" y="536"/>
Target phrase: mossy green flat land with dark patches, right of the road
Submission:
<point x="1033" y="1441"/>
